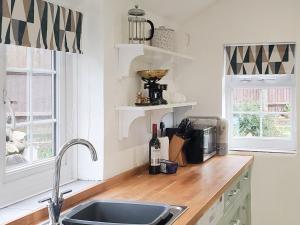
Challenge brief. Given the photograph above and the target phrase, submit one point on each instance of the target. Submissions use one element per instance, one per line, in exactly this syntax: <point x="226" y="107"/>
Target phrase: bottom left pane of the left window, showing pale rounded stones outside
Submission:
<point x="17" y="153"/>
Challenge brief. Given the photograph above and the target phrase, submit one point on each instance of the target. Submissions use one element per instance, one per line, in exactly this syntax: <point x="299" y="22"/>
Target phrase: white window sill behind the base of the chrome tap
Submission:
<point x="29" y="205"/>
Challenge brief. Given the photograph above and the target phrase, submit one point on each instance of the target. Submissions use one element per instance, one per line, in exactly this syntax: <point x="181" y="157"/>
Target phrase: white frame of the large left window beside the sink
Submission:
<point x="37" y="177"/>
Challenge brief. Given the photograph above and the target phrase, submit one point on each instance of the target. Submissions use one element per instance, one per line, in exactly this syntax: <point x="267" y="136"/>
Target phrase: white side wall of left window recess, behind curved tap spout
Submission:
<point x="90" y="89"/>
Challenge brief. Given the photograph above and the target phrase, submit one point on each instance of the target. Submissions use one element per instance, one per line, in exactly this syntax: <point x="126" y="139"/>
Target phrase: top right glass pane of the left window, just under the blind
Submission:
<point x="42" y="59"/>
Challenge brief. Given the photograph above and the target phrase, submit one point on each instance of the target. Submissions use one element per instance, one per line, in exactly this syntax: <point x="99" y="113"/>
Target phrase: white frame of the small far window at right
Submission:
<point x="285" y="145"/>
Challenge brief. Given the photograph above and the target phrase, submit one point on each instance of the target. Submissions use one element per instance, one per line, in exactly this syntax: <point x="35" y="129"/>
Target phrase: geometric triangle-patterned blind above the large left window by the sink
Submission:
<point x="40" y="24"/>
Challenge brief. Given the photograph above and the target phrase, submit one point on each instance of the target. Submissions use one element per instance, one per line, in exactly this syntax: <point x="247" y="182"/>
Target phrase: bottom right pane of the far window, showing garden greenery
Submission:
<point x="277" y="126"/>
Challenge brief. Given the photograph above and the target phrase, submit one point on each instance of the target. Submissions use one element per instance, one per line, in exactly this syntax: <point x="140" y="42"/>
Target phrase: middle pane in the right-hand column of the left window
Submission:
<point x="42" y="96"/>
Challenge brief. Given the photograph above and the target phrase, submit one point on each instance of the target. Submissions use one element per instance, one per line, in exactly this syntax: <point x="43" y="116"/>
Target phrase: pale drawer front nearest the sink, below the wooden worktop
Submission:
<point x="213" y="214"/>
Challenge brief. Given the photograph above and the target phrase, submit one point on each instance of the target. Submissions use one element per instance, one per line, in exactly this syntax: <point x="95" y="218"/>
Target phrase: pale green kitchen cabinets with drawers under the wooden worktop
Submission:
<point x="234" y="206"/>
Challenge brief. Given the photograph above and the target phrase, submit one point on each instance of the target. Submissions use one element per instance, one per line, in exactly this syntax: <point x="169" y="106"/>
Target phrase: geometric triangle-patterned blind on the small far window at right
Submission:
<point x="269" y="59"/>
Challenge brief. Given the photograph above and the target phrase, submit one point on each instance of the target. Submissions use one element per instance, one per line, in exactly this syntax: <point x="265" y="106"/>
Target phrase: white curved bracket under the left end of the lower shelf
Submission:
<point x="126" y="118"/>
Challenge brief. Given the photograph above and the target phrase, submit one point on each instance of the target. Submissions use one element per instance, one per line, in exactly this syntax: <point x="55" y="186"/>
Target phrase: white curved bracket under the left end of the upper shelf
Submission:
<point x="125" y="58"/>
